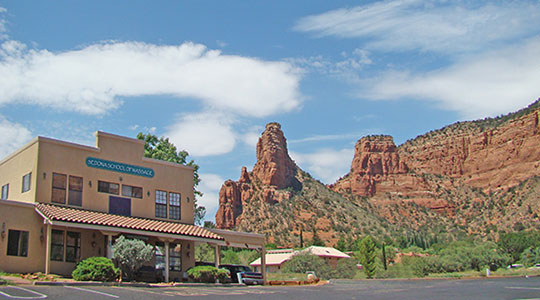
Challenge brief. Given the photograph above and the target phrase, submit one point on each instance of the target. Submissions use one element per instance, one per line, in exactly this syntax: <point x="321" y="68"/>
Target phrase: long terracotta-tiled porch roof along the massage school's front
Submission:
<point x="82" y="218"/>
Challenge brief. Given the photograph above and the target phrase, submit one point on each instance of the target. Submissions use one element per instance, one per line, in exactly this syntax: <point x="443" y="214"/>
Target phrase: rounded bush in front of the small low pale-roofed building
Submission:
<point x="303" y="262"/>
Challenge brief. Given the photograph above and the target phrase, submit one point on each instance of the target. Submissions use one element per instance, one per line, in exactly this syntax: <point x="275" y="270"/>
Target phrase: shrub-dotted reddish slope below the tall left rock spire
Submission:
<point x="330" y="216"/>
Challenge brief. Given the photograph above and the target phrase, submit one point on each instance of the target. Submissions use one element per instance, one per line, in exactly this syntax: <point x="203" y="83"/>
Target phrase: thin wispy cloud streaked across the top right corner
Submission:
<point x="441" y="26"/>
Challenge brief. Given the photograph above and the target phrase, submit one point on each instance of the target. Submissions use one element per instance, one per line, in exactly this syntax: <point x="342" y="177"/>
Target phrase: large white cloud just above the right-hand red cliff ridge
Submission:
<point x="484" y="85"/>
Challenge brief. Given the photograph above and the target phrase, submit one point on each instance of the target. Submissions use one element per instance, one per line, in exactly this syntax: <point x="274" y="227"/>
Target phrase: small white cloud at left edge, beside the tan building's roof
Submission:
<point x="13" y="136"/>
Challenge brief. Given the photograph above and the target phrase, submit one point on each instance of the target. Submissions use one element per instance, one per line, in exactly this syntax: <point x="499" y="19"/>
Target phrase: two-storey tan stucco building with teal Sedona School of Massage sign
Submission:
<point x="63" y="202"/>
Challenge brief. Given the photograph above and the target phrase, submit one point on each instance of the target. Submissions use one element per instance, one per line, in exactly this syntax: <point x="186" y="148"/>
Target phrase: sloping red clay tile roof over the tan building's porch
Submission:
<point x="76" y="215"/>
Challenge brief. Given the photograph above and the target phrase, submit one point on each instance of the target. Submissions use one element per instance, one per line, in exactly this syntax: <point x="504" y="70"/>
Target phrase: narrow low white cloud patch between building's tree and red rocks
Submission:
<point x="210" y="186"/>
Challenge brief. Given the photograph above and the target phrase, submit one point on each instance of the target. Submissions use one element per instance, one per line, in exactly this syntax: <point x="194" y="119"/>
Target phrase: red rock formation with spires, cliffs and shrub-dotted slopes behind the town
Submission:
<point x="477" y="177"/>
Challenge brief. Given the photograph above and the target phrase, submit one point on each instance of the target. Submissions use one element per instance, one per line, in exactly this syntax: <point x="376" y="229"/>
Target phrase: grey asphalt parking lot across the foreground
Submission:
<point x="501" y="288"/>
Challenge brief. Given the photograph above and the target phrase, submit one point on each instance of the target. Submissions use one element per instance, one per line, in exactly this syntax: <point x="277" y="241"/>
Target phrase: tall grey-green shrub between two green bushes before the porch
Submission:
<point x="131" y="255"/>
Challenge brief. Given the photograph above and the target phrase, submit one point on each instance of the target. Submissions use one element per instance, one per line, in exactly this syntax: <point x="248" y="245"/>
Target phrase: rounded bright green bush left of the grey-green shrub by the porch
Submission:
<point x="95" y="269"/>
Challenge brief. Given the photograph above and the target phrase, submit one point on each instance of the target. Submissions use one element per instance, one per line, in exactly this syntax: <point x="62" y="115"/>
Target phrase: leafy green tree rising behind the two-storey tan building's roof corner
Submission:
<point x="162" y="149"/>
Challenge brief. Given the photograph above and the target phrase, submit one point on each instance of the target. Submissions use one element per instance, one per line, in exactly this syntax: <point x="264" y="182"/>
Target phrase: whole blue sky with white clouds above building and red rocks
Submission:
<point x="211" y="74"/>
